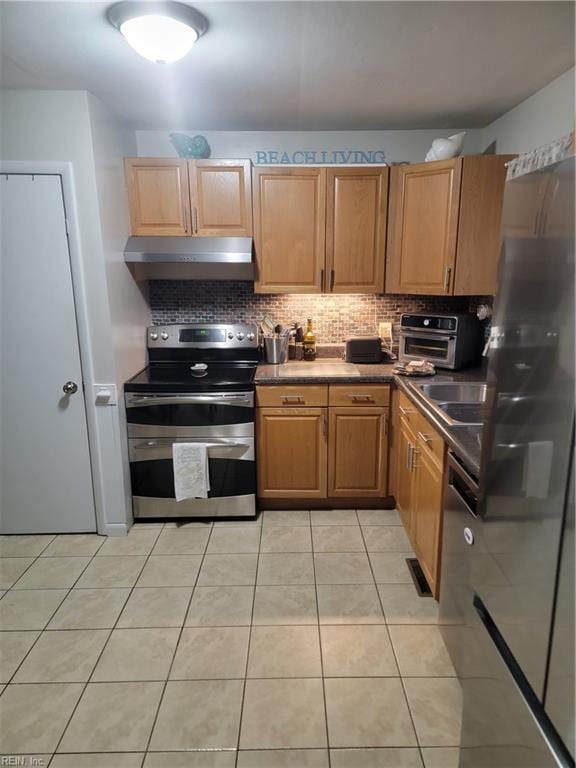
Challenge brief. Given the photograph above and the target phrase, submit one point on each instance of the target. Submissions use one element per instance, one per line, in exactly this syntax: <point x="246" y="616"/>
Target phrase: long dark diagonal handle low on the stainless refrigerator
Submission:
<point x="557" y="747"/>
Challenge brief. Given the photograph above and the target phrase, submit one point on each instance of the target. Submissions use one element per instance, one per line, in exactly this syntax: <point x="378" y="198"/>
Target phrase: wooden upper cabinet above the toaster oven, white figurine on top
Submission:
<point x="444" y="230"/>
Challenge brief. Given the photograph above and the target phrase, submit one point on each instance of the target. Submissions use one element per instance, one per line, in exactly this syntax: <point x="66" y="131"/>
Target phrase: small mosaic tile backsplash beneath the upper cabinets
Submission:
<point x="336" y="316"/>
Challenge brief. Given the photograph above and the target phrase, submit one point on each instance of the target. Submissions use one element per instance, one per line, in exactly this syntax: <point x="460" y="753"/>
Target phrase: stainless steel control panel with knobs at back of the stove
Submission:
<point x="203" y="336"/>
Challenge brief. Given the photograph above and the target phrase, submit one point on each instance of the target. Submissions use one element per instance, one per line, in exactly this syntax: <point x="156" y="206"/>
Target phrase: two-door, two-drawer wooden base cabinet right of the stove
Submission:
<point x="311" y="447"/>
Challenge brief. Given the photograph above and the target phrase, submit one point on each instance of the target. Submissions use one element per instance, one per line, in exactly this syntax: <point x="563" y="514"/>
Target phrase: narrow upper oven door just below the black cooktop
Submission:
<point x="206" y="414"/>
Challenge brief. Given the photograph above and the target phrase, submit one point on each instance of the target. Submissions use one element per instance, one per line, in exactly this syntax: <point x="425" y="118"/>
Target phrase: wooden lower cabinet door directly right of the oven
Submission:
<point x="292" y="453"/>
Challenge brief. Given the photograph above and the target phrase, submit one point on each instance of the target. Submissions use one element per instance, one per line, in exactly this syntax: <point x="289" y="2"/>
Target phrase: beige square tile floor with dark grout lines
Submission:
<point x="293" y="641"/>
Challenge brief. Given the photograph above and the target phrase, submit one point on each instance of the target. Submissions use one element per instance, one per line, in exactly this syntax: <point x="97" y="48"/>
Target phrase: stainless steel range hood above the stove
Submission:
<point x="190" y="258"/>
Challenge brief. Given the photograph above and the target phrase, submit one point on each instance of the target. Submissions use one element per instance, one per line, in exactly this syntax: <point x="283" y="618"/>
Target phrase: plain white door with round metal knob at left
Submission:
<point x="45" y="480"/>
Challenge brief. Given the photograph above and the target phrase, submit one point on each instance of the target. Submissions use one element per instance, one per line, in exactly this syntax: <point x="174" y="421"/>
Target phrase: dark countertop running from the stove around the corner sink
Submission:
<point x="464" y="440"/>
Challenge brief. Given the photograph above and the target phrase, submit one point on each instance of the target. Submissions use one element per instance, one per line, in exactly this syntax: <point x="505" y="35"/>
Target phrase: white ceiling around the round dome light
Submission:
<point x="301" y="65"/>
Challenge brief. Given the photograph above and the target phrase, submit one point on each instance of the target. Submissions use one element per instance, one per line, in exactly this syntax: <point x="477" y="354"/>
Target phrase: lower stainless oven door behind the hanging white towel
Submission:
<point x="232" y="467"/>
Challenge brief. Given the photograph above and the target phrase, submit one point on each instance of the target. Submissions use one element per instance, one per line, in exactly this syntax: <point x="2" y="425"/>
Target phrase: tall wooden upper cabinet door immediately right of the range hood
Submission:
<point x="289" y="229"/>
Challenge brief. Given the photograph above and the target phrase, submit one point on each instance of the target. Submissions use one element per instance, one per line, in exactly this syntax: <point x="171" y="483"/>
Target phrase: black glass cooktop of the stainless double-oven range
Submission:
<point x="190" y="377"/>
